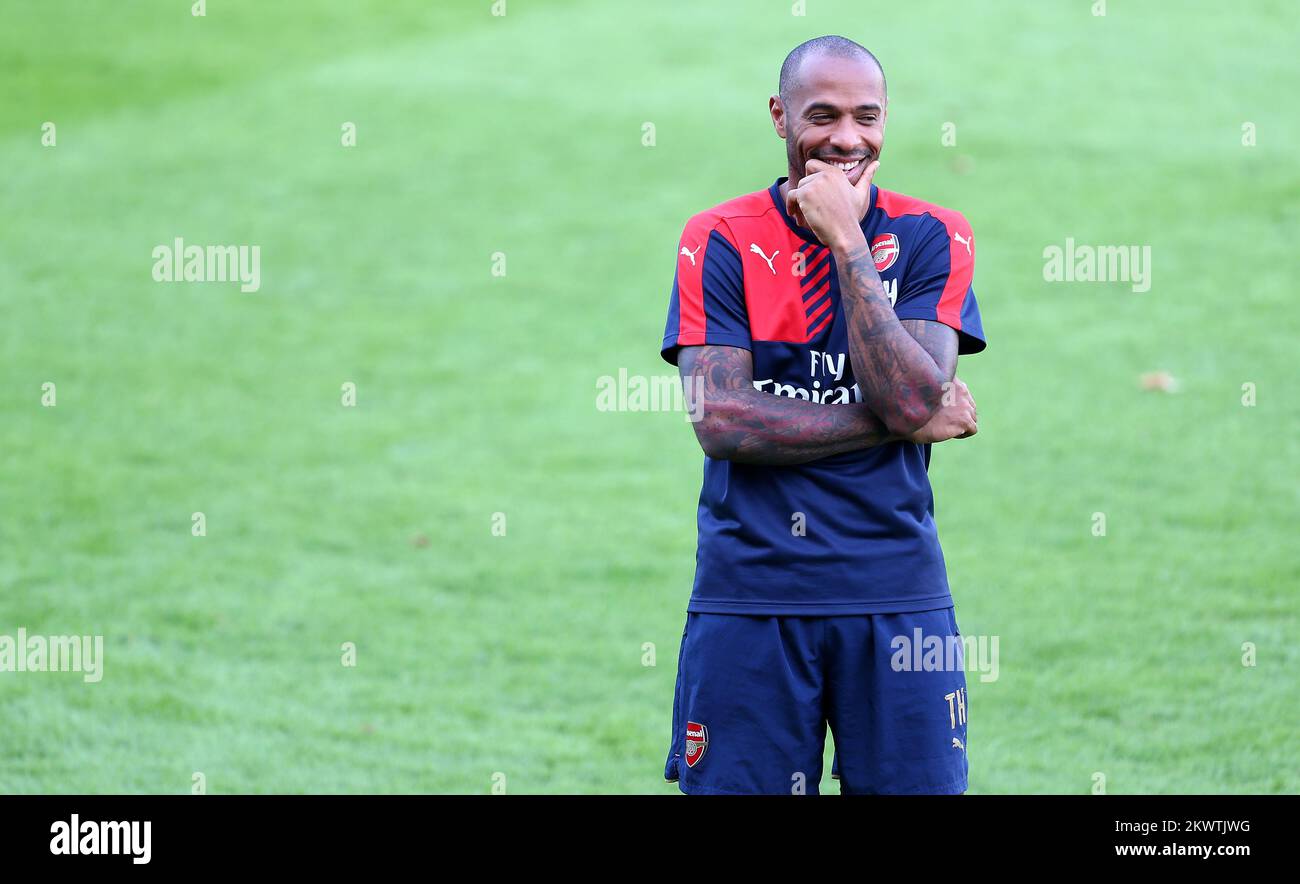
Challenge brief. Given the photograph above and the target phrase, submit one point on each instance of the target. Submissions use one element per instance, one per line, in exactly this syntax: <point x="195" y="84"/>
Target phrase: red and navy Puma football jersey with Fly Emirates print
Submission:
<point x="852" y="534"/>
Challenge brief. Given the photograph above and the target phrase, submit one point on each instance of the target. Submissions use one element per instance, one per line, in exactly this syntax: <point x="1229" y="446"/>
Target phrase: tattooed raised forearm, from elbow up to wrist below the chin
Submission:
<point x="900" y="380"/>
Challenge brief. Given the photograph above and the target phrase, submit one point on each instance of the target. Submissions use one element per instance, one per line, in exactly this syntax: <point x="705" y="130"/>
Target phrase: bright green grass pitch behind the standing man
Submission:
<point x="523" y="655"/>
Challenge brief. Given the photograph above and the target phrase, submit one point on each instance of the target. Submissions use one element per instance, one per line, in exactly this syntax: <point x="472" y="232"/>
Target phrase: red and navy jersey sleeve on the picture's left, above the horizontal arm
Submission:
<point x="708" y="304"/>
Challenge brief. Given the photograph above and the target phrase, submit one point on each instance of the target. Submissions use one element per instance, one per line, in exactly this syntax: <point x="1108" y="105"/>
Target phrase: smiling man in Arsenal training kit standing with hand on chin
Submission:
<point x="817" y="327"/>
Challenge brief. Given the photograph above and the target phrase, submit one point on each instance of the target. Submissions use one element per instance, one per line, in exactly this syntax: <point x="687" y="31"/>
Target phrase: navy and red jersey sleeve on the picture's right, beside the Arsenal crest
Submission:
<point x="938" y="283"/>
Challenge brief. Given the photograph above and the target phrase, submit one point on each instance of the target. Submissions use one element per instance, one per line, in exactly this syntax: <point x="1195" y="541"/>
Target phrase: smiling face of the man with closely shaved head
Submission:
<point x="837" y="114"/>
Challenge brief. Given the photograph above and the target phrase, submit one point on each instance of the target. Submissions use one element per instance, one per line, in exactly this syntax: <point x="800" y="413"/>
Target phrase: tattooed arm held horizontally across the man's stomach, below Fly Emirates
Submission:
<point x="738" y="423"/>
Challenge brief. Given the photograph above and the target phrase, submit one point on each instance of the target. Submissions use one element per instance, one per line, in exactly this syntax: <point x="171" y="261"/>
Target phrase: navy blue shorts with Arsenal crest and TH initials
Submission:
<point x="756" y="694"/>
